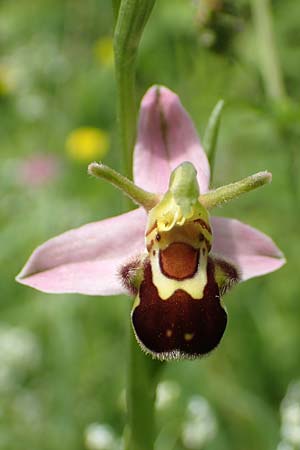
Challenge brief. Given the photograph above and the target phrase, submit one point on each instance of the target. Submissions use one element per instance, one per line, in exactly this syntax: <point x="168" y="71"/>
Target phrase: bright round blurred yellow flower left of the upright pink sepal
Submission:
<point x="87" y="143"/>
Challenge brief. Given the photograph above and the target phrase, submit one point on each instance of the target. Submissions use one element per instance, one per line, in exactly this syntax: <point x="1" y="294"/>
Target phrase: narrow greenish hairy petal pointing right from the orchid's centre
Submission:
<point x="224" y="194"/>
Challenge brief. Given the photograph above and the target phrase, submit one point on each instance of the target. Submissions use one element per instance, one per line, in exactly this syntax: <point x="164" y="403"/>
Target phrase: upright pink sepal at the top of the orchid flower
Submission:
<point x="166" y="138"/>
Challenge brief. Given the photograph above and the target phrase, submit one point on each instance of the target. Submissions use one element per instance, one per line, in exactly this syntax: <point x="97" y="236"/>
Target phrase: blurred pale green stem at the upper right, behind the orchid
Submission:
<point x="269" y="61"/>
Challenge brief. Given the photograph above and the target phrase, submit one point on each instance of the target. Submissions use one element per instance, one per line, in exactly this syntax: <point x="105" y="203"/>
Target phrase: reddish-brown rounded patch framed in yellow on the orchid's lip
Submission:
<point x="179" y="261"/>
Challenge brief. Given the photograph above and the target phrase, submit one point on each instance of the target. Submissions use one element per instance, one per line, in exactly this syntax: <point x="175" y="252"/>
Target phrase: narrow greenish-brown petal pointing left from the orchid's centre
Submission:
<point x="143" y="198"/>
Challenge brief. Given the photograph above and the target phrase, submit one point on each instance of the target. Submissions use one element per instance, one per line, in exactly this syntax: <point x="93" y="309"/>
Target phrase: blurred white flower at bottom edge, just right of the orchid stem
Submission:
<point x="200" y="426"/>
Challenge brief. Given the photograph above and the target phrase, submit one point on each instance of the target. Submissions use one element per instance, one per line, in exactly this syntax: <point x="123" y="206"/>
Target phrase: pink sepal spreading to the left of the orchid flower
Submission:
<point x="87" y="260"/>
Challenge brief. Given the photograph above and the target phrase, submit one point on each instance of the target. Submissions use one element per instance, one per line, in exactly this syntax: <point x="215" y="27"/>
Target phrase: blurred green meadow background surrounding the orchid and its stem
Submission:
<point x="63" y="358"/>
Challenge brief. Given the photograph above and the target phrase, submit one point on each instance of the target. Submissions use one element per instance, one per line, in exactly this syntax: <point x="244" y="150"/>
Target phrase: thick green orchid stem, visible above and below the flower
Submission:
<point x="142" y="371"/>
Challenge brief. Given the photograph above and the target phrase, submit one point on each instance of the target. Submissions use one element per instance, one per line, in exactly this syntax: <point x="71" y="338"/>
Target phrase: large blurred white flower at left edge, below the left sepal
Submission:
<point x="19" y="353"/>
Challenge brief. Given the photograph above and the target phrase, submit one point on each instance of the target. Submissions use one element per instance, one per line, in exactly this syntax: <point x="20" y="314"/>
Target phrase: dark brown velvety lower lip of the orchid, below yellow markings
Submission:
<point x="181" y="326"/>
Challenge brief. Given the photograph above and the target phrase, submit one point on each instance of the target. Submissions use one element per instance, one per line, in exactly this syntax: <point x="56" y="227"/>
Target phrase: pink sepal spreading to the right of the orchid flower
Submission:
<point x="252" y="252"/>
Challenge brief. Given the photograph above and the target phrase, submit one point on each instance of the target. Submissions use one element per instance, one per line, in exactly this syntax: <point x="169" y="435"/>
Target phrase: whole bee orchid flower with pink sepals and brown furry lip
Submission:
<point x="174" y="258"/>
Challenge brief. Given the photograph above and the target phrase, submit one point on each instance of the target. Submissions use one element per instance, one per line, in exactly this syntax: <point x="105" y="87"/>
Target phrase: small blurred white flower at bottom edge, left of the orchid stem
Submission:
<point x="100" y="437"/>
